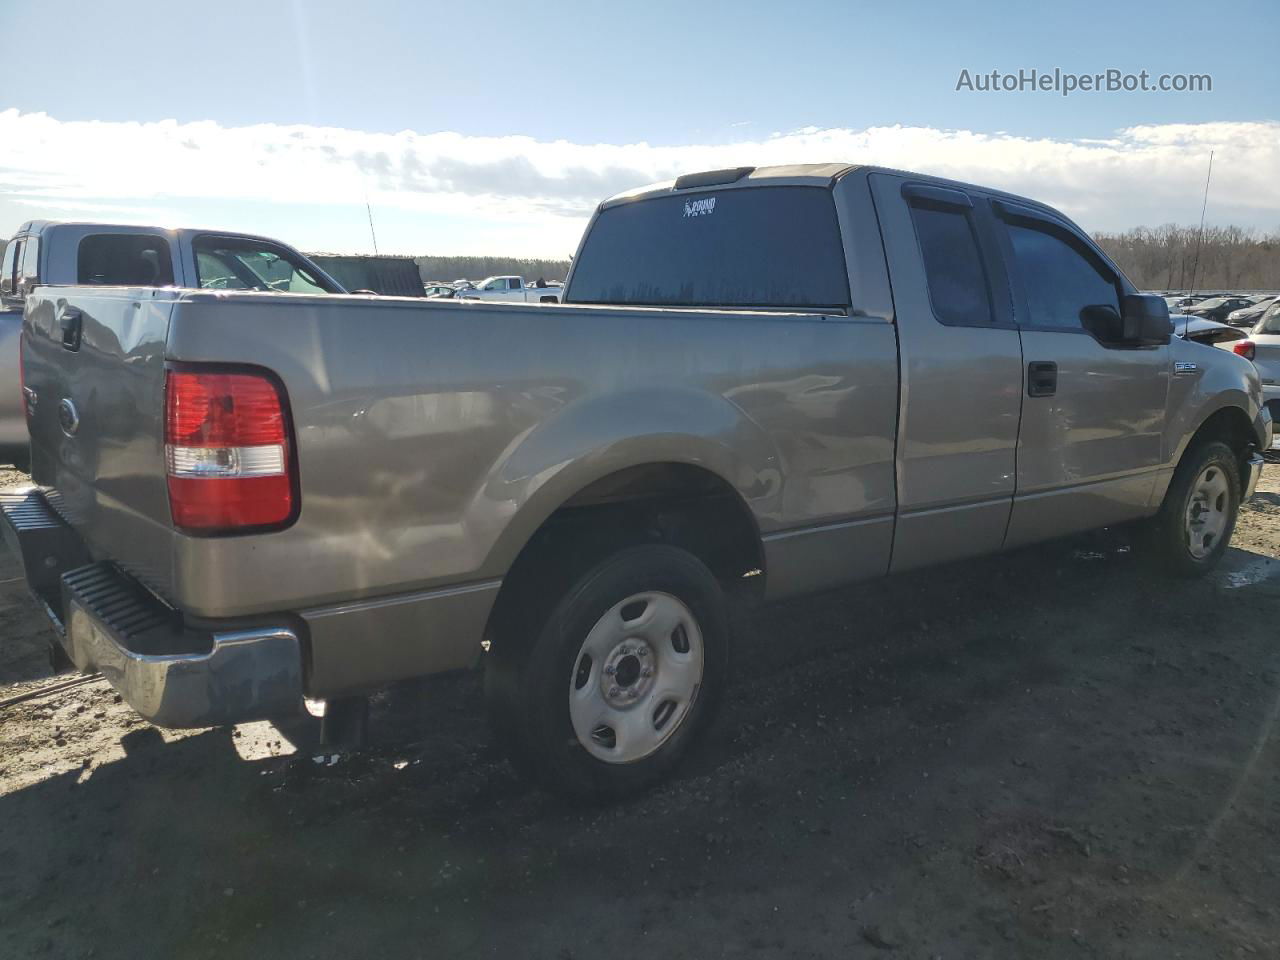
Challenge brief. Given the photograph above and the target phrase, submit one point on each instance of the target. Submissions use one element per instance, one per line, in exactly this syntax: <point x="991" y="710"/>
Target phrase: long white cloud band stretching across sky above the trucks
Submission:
<point x="450" y="193"/>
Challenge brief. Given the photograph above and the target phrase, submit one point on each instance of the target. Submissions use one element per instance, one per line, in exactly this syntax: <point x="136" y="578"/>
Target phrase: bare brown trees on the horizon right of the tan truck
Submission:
<point x="1174" y="258"/>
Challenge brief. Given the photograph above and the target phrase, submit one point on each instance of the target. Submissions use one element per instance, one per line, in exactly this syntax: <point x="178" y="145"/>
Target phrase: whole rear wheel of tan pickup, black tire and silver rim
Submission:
<point x="620" y="679"/>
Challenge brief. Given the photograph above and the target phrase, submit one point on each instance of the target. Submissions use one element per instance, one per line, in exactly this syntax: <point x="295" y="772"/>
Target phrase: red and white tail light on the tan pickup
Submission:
<point x="227" y="452"/>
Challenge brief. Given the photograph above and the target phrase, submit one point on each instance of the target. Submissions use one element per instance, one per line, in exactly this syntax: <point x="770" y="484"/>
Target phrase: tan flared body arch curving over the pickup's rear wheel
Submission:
<point x="593" y="438"/>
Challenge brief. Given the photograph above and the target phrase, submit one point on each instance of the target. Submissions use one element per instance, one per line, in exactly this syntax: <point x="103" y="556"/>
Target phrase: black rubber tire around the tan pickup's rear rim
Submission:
<point x="528" y="678"/>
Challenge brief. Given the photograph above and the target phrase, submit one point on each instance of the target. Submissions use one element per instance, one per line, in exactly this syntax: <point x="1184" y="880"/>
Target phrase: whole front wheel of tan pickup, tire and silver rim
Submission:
<point x="1197" y="519"/>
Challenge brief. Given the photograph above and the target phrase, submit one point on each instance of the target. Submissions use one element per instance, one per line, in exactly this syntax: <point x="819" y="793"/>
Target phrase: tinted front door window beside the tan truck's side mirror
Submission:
<point x="1060" y="278"/>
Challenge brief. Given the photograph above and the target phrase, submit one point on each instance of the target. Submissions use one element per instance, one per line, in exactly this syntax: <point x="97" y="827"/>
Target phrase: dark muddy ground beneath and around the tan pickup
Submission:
<point x="1049" y="755"/>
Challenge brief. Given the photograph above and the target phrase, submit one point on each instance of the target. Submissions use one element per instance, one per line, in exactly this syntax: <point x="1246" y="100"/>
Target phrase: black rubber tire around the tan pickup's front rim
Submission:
<point x="1169" y="541"/>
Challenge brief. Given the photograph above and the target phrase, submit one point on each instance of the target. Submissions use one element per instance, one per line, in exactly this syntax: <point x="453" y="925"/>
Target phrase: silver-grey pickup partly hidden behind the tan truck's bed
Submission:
<point x="99" y="254"/>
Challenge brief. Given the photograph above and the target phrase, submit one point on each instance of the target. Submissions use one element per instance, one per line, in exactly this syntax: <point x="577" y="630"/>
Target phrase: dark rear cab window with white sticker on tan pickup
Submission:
<point x="748" y="248"/>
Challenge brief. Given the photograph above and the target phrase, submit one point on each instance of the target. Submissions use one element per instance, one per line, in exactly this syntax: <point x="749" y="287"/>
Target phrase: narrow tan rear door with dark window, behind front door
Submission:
<point x="961" y="367"/>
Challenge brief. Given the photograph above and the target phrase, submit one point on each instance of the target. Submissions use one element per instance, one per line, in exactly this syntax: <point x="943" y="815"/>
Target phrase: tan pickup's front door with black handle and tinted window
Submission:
<point x="1094" y="414"/>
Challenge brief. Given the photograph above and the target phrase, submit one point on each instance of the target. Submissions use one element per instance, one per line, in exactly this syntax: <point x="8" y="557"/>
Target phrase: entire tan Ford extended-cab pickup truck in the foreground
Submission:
<point x="780" y="380"/>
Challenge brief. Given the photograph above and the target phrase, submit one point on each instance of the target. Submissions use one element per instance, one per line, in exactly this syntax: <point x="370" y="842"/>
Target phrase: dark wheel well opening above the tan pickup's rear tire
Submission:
<point x="670" y="504"/>
